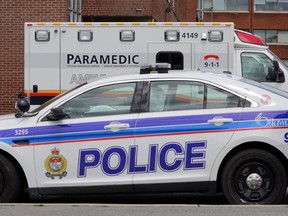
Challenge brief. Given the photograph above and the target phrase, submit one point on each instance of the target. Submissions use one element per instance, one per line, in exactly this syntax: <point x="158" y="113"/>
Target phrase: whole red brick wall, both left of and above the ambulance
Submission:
<point x="14" y="13"/>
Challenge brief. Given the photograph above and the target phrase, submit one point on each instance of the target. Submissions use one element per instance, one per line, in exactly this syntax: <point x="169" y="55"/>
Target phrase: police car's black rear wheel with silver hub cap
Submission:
<point x="254" y="176"/>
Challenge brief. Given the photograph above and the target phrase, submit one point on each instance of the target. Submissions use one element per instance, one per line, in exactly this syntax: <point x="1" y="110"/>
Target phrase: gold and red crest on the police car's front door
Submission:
<point x="55" y="165"/>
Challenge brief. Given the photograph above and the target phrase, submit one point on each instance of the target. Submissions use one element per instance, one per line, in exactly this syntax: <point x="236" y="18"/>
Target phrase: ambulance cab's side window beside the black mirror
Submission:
<point x="255" y="66"/>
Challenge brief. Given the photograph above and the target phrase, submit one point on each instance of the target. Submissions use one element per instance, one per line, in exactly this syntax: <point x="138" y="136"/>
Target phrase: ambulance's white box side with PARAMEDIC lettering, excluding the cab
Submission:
<point x="65" y="61"/>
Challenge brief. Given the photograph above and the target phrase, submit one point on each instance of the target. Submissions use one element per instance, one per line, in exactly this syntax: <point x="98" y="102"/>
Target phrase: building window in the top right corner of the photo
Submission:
<point x="270" y="5"/>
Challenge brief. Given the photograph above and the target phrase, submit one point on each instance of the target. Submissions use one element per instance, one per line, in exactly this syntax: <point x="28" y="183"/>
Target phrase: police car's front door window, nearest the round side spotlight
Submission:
<point x="106" y="100"/>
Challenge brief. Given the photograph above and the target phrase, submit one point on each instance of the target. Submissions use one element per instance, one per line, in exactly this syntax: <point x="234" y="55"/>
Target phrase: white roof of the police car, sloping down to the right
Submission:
<point x="236" y="84"/>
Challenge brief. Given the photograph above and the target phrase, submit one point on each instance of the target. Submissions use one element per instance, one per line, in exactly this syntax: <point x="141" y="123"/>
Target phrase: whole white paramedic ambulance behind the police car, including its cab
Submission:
<point x="59" y="56"/>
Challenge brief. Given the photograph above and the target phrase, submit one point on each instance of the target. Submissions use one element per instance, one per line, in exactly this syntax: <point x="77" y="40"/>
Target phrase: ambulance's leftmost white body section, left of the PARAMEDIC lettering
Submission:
<point x="42" y="62"/>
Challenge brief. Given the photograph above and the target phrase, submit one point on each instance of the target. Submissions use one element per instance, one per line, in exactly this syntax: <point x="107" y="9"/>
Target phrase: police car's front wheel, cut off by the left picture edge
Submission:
<point x="10" y="181"/>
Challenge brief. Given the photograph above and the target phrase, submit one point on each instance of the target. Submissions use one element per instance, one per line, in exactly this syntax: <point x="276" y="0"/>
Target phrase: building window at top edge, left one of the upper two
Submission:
<point x="226" y="5"/>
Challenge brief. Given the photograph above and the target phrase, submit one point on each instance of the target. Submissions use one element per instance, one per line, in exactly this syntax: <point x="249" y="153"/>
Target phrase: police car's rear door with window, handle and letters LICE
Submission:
<point x="178" y="137"/>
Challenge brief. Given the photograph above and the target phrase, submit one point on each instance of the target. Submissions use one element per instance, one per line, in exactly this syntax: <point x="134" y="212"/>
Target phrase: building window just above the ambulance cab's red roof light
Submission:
<point x="273" y="36"/>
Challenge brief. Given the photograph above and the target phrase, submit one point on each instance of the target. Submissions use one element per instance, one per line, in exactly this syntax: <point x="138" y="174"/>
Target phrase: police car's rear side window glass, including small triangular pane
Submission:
<point x="183" y="95"/>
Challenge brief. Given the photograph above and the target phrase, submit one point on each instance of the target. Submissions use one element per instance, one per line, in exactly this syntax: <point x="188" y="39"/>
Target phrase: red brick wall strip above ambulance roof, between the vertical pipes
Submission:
<point x="149" y="8"/>
